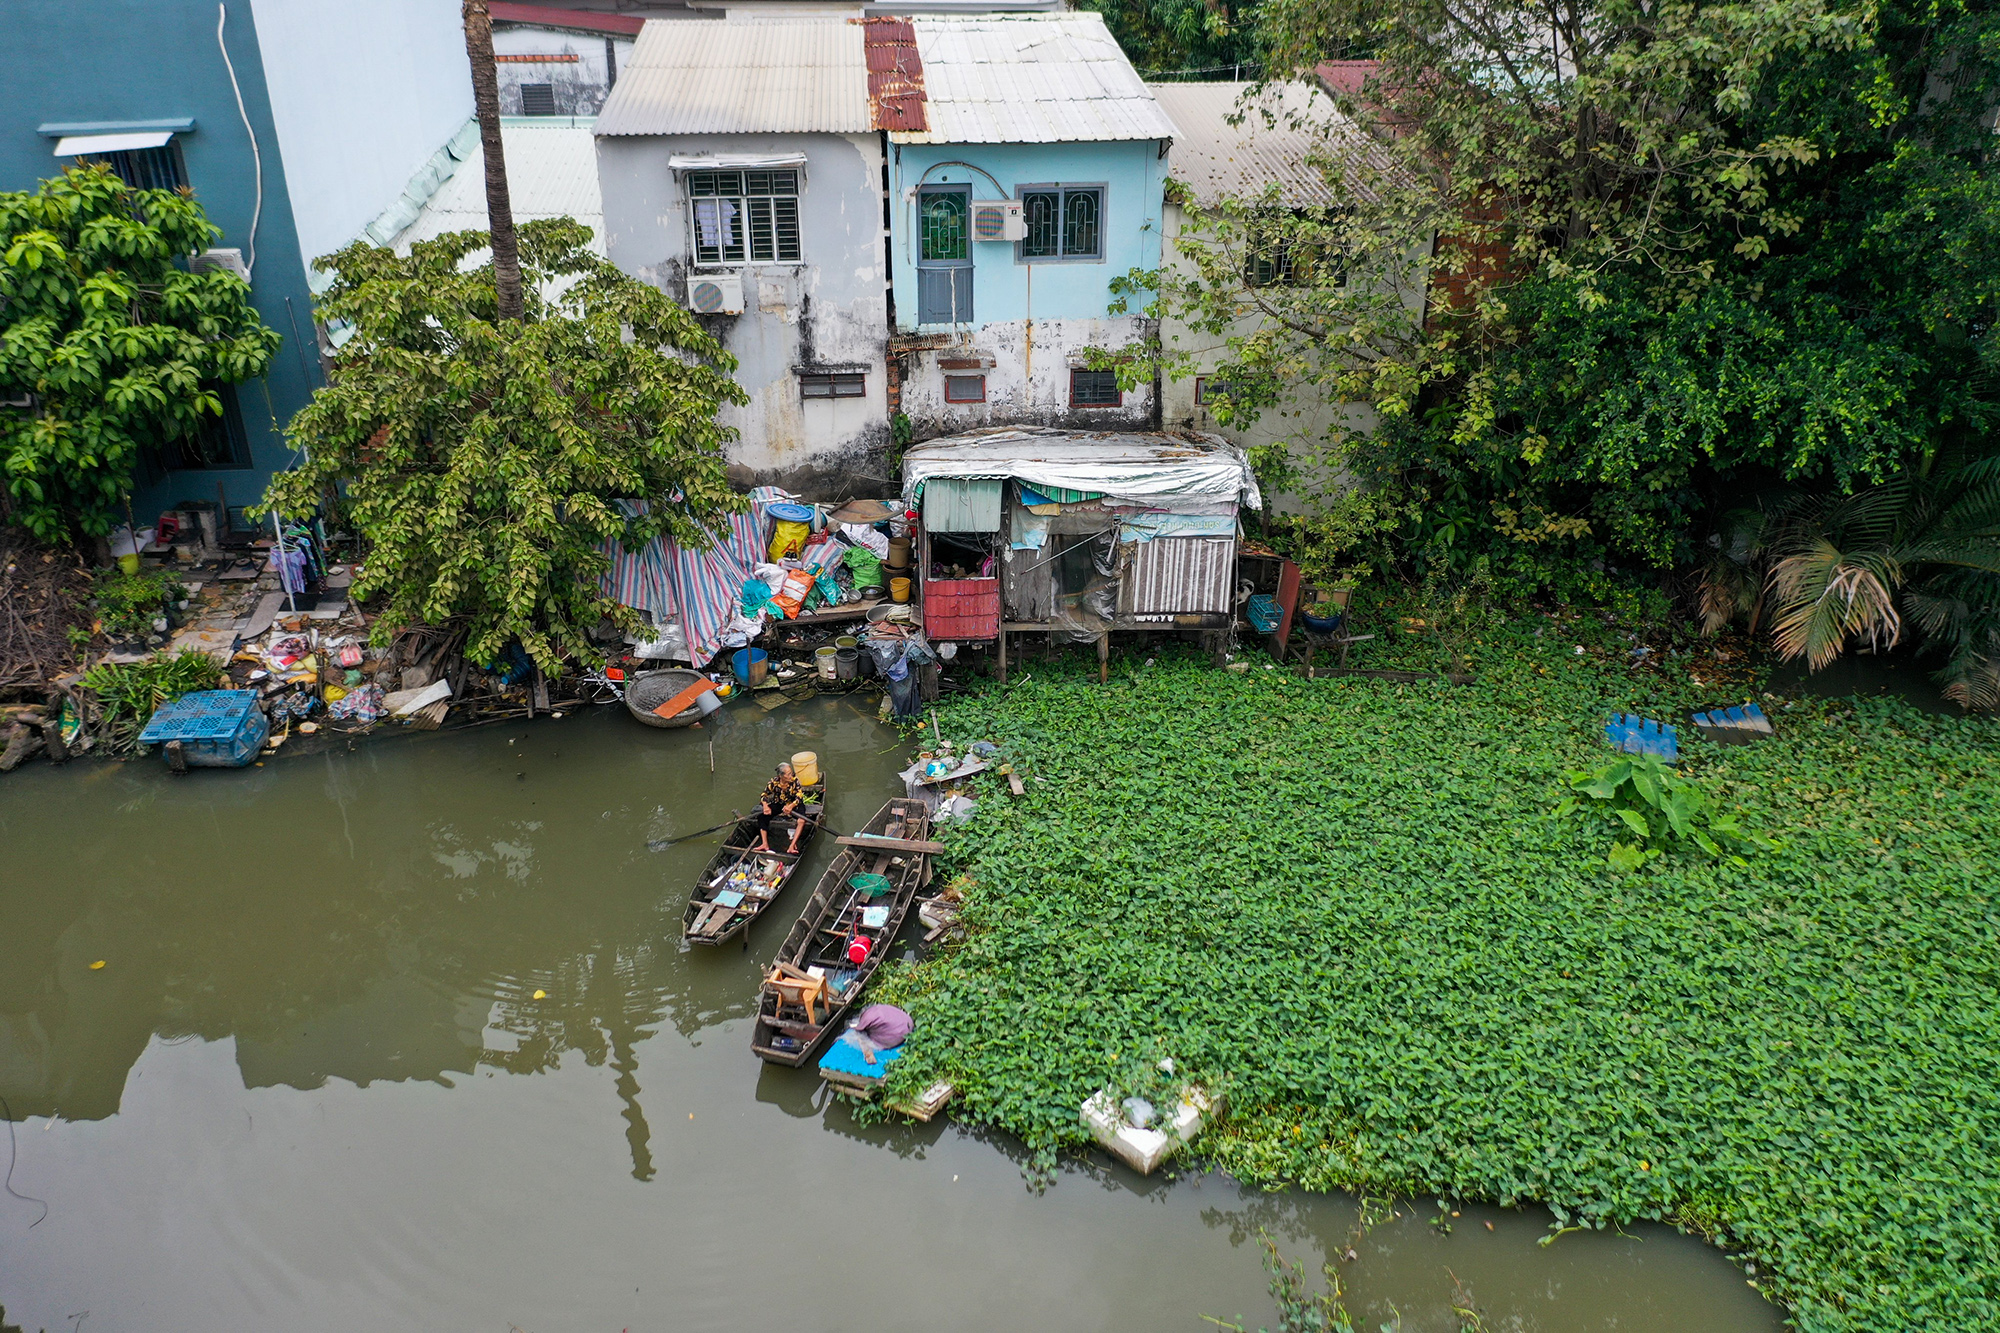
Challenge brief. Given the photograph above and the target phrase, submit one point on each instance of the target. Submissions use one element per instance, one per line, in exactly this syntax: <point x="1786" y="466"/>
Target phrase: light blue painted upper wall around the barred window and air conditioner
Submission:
<point x="1003" y="287"/>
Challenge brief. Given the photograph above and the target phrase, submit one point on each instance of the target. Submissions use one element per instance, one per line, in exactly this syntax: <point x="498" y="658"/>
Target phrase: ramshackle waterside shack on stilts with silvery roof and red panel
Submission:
<point x="1077" y="533"/>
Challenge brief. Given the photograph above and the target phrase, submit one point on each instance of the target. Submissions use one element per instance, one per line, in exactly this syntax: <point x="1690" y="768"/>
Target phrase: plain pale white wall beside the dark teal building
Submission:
<point x="363" y="95"/>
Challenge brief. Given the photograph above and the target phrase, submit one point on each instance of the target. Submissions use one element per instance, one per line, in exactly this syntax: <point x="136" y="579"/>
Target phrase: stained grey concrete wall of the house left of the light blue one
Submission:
<point x="825" y="313"/>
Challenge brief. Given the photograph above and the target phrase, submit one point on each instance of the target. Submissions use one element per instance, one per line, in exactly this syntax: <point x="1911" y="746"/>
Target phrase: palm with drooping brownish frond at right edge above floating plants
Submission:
<point x="1923" y="547"/>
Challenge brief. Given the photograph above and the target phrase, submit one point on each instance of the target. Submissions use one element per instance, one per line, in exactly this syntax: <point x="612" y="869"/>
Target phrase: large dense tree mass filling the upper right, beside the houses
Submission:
<point x="1681" y="255"/>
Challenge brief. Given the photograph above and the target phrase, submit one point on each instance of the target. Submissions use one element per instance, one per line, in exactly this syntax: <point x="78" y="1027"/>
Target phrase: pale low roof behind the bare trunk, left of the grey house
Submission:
<point x="551" y="173"/>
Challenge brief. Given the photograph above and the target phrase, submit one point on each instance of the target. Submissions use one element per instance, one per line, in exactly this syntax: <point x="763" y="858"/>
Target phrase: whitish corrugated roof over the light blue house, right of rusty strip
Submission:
<point x="1029" y="79"/>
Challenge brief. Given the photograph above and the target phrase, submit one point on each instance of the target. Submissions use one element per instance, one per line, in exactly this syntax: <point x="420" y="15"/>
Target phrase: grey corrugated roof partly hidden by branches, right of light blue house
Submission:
<point x="1287" y="135"/>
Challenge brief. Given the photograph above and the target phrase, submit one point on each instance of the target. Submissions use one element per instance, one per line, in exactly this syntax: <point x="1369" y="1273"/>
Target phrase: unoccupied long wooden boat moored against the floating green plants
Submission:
<point x="817" y="950"/>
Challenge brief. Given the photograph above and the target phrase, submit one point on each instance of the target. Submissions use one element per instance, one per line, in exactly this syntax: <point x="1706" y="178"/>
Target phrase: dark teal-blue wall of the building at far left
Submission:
<point x="81" y="61"/>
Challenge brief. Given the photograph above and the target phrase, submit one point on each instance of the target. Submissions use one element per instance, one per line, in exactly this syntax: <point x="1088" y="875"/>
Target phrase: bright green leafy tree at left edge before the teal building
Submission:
<point x="113" y="345"/>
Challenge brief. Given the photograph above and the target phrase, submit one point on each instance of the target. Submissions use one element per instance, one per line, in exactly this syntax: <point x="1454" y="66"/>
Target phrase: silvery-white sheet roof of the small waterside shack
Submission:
<point x="1153" y="469"/>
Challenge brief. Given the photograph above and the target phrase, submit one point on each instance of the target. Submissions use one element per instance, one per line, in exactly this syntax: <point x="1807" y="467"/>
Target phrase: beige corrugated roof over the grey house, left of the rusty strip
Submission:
<point x="743" y="77"/>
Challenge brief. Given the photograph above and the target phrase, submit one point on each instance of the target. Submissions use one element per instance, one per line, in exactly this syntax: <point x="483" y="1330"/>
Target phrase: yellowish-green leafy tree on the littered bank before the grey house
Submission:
<point x="481" y="457"/>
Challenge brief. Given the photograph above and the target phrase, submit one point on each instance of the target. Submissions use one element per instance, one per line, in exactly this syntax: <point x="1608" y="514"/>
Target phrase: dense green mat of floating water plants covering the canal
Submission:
<point x="1343" y="904"/>
